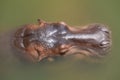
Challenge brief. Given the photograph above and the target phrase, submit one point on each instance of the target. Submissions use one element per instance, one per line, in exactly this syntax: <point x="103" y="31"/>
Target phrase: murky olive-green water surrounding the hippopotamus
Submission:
<point x="14" y="13"/>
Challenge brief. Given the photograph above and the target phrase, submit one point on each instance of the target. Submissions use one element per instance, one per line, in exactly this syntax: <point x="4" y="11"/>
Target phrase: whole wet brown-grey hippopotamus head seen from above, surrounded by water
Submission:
<point x="43" y="40"/>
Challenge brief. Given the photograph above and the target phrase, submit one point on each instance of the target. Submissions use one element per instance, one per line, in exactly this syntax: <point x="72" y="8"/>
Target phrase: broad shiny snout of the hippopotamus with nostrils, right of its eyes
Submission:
<point x="92" y="40"/>
